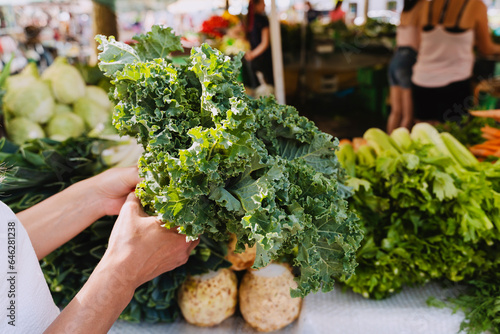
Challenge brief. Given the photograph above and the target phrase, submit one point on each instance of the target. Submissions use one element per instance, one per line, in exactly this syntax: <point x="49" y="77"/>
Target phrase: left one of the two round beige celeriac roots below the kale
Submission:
<point x="207" y="300"/>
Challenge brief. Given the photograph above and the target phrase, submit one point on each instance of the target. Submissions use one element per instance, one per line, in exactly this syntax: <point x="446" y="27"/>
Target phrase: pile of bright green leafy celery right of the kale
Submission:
<point x="429" y="209"/>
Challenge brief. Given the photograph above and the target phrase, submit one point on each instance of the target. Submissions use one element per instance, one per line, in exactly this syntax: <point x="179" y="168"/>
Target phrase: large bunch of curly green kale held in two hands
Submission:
<point x="217" y="161"/>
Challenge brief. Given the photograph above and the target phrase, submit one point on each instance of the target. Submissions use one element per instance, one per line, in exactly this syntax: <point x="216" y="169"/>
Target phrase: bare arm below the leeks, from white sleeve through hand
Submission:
<point x="59" y="218"/>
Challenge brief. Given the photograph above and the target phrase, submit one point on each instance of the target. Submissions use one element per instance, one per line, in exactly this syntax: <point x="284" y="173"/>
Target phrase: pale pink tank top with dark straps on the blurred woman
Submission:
<point x="444" y="56"/>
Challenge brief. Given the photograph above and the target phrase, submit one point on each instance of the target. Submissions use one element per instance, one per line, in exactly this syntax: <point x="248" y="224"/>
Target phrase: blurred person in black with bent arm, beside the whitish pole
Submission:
<point x="257" y="29"/>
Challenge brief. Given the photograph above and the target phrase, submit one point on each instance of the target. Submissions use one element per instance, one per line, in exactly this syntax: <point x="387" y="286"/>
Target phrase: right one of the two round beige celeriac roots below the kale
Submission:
<point x="265" y="301"/>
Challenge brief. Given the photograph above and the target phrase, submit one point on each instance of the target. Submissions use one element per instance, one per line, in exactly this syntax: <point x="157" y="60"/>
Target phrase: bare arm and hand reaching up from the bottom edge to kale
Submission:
<point x="139" y="250"/>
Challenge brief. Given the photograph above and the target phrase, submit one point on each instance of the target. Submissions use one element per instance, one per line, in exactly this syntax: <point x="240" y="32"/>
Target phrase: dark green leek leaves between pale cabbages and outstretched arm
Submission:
<point x="42" y="167"/>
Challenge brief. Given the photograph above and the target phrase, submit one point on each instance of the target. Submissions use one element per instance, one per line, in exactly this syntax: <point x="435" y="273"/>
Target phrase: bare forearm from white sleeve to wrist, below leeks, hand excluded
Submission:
<point x="59" y="218"/>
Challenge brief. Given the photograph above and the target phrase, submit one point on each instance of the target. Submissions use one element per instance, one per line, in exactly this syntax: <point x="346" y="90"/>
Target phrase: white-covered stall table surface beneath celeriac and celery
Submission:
<point x="340" y="313"/>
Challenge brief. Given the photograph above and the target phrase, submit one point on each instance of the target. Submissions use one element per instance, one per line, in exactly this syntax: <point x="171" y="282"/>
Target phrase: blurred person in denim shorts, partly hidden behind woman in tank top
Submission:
<point x="401" y="65"/>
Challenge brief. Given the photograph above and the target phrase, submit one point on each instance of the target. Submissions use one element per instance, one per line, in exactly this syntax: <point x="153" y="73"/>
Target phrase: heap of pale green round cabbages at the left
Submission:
<point x="56" y="104"/>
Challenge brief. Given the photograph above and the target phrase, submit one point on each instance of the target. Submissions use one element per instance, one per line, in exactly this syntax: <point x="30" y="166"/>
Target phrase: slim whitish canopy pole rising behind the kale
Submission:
<point x="277" y="55"/>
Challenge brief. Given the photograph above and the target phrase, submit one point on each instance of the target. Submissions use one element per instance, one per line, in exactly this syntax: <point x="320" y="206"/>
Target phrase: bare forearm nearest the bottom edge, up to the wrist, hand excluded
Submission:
<point x="97" y="305"/>
